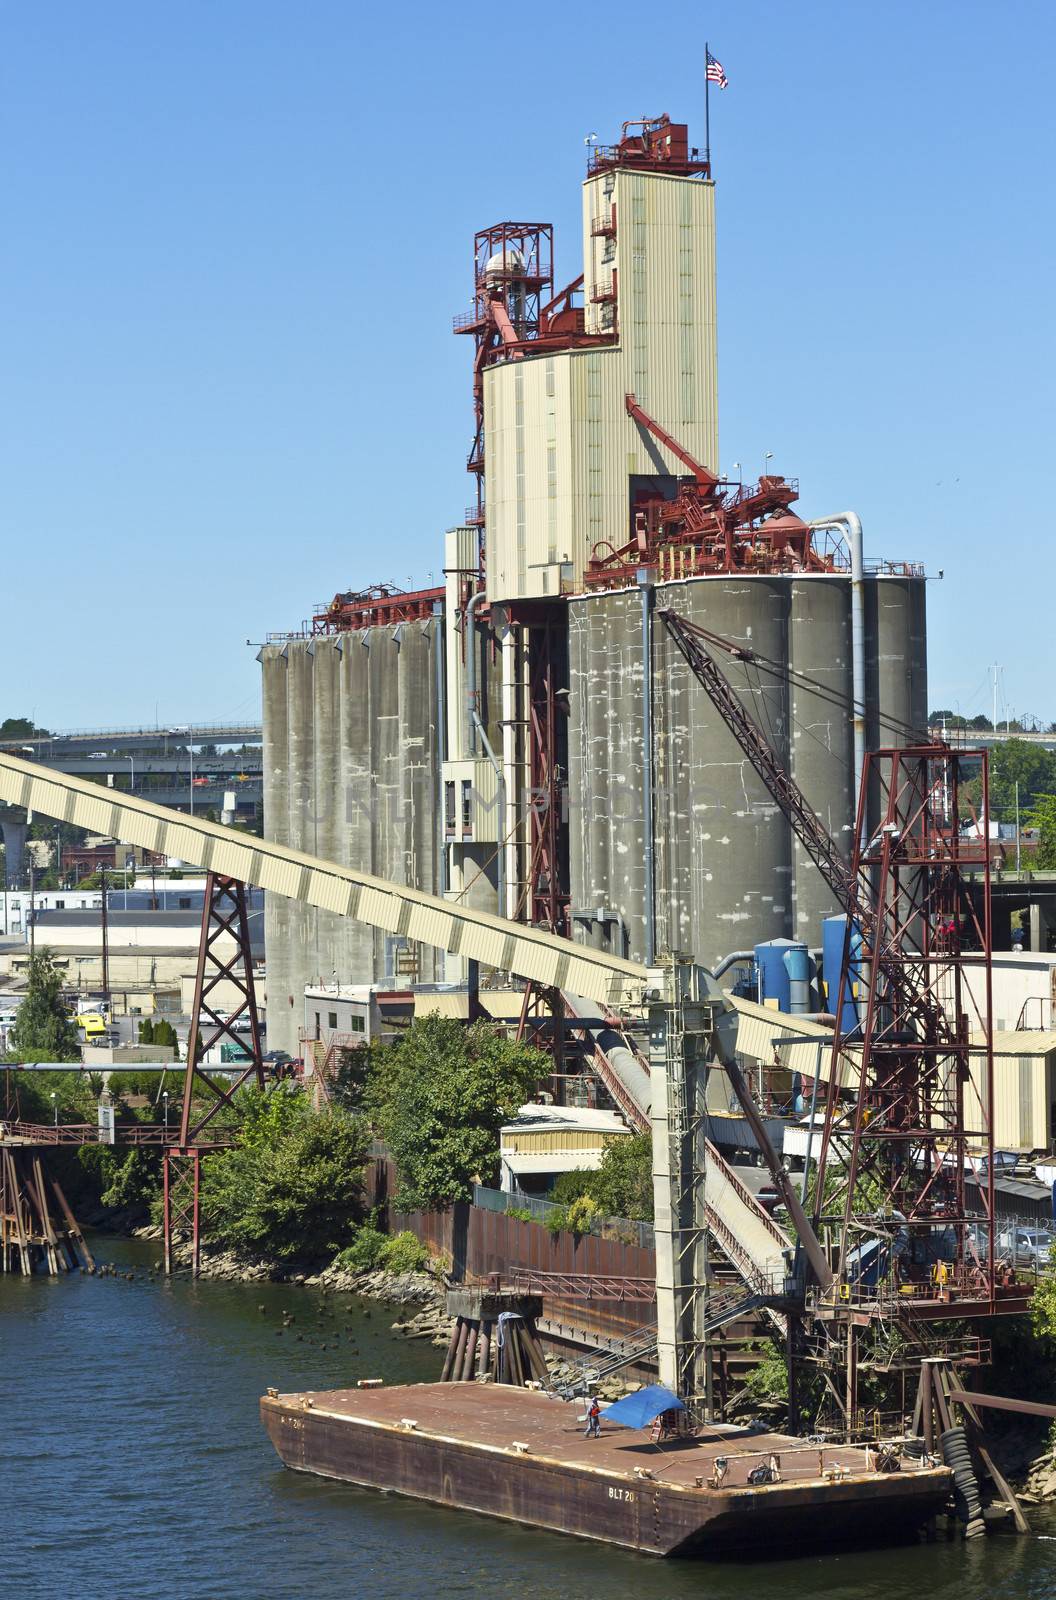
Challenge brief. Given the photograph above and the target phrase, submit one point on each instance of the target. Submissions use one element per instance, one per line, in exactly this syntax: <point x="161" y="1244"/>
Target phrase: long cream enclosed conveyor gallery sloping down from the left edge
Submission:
<point x="412" y="914"/>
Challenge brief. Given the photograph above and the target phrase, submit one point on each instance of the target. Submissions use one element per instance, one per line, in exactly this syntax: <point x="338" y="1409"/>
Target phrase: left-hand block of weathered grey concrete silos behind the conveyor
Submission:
<point x="350" y="775"/>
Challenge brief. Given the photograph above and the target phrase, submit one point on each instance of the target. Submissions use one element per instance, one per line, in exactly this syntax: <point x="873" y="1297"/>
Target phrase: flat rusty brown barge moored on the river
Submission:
<point x="522" y="1455"/>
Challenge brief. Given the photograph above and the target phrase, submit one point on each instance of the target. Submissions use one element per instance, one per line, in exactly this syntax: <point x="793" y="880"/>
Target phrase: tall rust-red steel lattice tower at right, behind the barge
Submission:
<point x="911" y="1084"/>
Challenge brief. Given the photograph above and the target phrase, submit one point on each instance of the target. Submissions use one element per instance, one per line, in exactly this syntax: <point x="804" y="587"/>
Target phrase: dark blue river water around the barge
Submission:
<point x="134" y="1465"/>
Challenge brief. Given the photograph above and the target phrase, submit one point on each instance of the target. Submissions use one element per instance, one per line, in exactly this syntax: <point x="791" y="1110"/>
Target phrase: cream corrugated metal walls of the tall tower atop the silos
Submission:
<point x="561" y="447"/>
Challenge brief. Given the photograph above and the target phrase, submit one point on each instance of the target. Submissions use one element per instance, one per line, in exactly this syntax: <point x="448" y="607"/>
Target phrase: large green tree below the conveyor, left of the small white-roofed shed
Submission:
<point x="439" y="1097"/>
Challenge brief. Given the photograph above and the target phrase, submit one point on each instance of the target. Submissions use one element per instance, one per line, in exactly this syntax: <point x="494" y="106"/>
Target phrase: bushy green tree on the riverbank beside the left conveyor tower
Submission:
<point x="294" y="1186"/>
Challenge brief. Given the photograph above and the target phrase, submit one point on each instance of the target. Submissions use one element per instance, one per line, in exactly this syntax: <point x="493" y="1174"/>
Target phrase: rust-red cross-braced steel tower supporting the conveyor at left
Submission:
<point x="225" y="921"/>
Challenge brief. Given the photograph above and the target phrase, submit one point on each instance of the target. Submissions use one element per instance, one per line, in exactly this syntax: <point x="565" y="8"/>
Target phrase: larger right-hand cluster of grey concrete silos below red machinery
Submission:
<point x="729" y="871"/>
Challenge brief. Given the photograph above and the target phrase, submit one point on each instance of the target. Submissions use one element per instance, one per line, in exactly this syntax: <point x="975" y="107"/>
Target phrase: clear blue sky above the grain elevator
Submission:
<point x="234" y="236"/>
